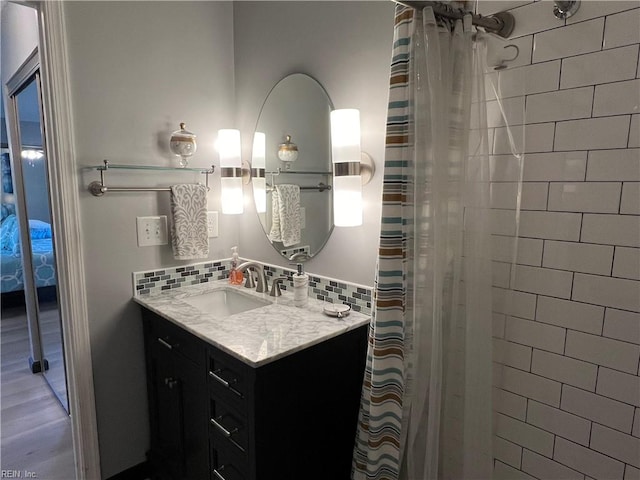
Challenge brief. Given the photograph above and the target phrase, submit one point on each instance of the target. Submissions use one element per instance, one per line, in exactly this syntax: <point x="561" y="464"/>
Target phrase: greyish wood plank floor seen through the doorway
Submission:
<point x="35" y="435"/>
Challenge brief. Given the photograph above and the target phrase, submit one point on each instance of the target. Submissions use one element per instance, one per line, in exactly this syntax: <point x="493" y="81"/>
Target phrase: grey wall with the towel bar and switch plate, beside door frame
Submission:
<point x="138" y="69"/>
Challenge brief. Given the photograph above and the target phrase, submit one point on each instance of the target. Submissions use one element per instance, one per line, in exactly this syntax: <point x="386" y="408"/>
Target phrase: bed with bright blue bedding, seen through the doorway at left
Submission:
<point x="11" y="271"/>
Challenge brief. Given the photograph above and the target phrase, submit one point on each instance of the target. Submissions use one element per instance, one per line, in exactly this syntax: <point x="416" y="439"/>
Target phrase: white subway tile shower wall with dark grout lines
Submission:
<point x="567" y="385"/>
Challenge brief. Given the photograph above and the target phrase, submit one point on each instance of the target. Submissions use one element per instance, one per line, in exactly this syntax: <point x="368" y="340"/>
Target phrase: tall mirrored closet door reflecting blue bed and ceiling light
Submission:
<point x="36" y="238"/>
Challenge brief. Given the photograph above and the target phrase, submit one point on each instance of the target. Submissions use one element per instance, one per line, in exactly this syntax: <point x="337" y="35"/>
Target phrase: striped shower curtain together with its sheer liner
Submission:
<point x="426" y="399"/>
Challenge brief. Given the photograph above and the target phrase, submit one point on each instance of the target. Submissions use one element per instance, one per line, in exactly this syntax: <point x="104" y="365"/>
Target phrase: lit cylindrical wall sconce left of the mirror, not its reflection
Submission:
<point x="231" y="174"/>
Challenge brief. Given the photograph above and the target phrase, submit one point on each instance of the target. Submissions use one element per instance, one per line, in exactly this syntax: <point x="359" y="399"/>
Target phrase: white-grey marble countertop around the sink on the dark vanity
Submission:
<point x="257" y="336"/>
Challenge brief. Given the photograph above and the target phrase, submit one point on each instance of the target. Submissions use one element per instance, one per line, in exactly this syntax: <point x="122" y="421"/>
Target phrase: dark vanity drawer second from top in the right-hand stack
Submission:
<point x="228" y="427"/>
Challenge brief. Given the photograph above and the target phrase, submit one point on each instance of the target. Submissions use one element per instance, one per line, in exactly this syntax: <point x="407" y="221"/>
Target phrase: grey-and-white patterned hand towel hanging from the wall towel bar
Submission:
<point x="189" y="236"/>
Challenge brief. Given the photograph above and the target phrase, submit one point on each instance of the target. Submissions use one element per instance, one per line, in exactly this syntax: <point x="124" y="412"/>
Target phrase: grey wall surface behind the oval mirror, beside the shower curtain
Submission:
<point x="346" y="46"/>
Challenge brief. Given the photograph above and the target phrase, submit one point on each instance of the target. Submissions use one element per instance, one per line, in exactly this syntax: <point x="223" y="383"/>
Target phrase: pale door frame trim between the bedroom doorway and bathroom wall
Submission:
<point x="65" y="215"/>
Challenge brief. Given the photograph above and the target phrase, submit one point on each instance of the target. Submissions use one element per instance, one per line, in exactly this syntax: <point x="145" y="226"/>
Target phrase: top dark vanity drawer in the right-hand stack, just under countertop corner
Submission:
<point x="228" y="378"/>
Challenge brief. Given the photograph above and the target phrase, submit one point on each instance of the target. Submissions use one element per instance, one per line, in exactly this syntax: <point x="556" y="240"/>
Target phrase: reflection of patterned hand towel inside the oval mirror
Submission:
<point x="285" y="206"/>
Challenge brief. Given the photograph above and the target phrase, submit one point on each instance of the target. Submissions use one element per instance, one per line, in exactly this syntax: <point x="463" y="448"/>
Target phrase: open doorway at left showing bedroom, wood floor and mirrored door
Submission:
<point x="36" y="436"/>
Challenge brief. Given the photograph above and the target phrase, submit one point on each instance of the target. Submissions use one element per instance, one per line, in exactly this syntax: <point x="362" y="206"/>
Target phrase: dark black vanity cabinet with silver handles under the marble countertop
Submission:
<point x="293" y="418"/>
